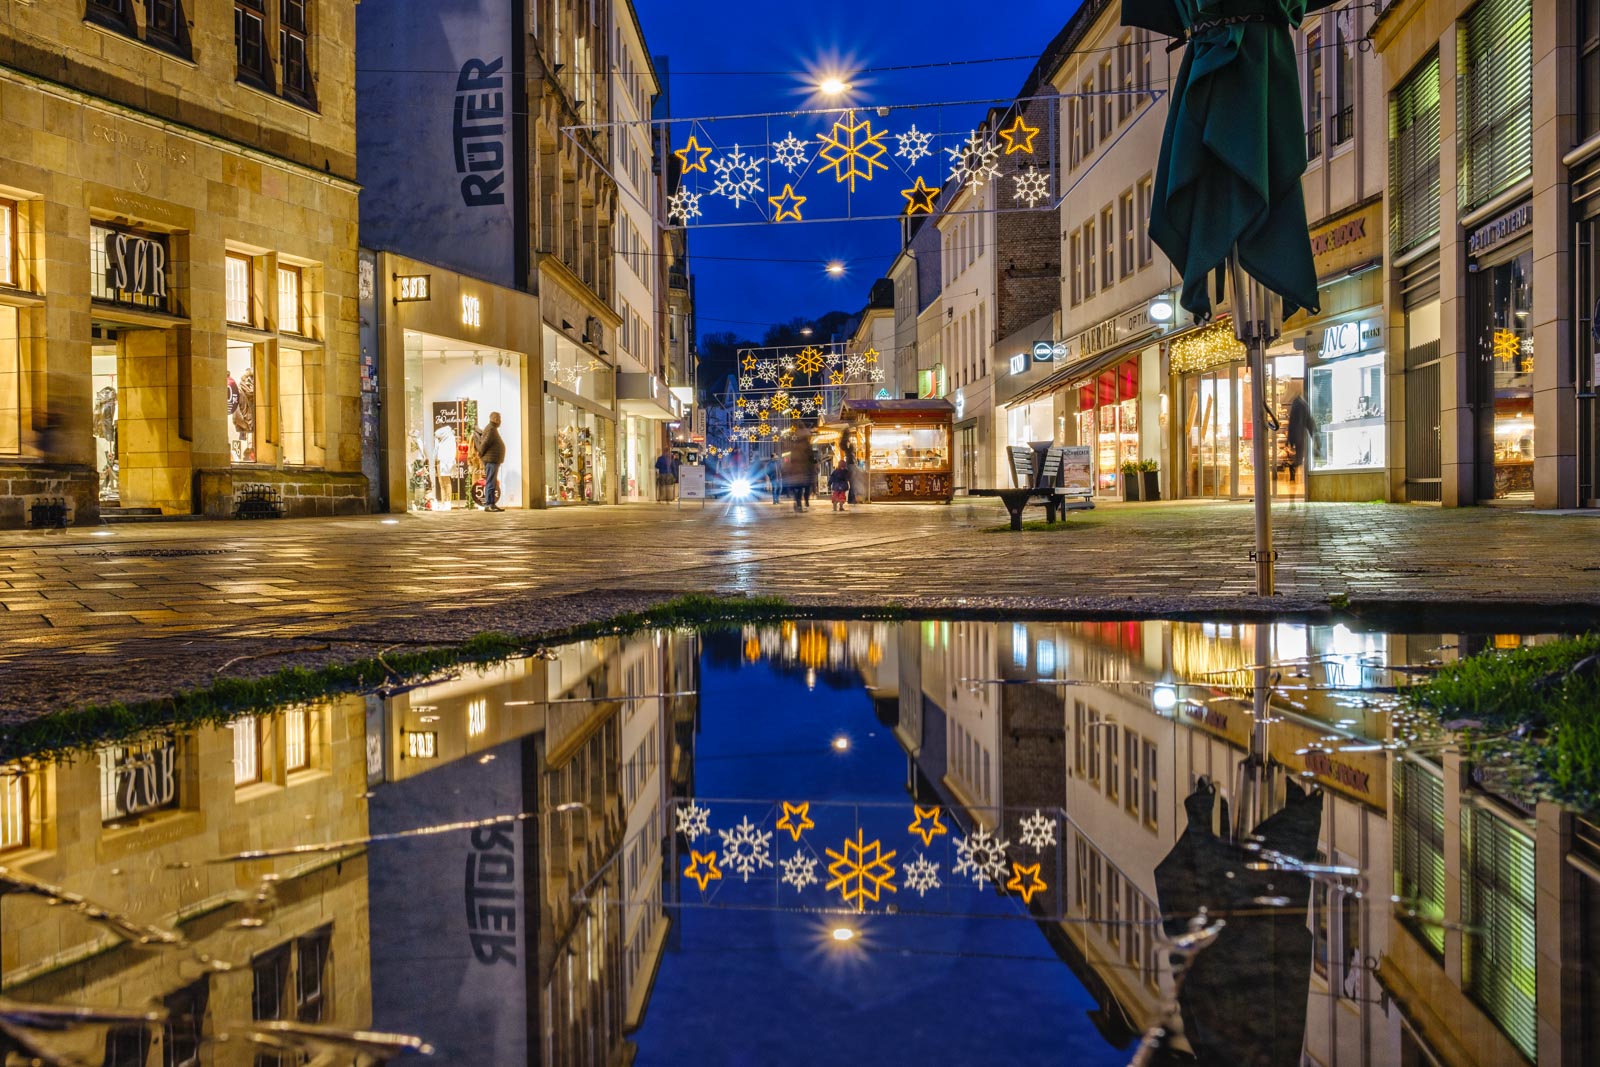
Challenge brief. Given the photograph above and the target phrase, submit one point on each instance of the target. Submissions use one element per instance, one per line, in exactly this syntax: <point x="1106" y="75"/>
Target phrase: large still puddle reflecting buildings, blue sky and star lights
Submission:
<point x="815" y="842"/>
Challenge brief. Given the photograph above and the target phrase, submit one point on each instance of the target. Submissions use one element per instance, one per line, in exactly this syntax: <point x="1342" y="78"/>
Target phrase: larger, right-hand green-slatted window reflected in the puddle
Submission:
<point x="1500" y="949"/>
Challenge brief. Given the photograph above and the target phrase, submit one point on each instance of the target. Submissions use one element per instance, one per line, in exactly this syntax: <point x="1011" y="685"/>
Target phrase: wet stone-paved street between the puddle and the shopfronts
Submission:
<point x="143" y="610"/>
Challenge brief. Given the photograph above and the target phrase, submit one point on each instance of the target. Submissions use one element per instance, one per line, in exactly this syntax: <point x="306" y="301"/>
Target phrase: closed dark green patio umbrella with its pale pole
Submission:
<point x="1228" y="185"/>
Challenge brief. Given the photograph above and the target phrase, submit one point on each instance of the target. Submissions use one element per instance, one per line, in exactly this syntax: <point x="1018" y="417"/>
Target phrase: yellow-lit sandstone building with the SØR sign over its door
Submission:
<point x="178" y="257"/>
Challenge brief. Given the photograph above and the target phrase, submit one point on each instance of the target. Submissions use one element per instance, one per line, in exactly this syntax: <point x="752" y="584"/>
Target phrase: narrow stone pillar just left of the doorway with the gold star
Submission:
<point x="1458" y="351"/>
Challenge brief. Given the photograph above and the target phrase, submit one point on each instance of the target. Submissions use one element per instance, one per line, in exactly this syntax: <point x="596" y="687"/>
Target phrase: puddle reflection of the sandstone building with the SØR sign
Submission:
<point x="137" y="829"/>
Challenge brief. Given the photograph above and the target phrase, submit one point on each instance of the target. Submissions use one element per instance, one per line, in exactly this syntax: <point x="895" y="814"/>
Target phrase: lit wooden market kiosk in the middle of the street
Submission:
<point x="903" y="449"/>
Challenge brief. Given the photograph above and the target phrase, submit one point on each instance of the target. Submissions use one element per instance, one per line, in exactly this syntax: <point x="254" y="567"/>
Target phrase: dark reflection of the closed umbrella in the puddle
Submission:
<point x="1244" y="1001"/>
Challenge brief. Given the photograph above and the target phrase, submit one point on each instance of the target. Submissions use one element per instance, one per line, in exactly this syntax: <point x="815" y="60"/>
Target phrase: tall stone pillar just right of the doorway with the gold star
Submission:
<point x="1554" y="132"/>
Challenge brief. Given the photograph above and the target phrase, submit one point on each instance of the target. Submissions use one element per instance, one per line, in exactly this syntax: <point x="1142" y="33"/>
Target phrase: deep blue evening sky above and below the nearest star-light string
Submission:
<point x="711" y="46"/>
